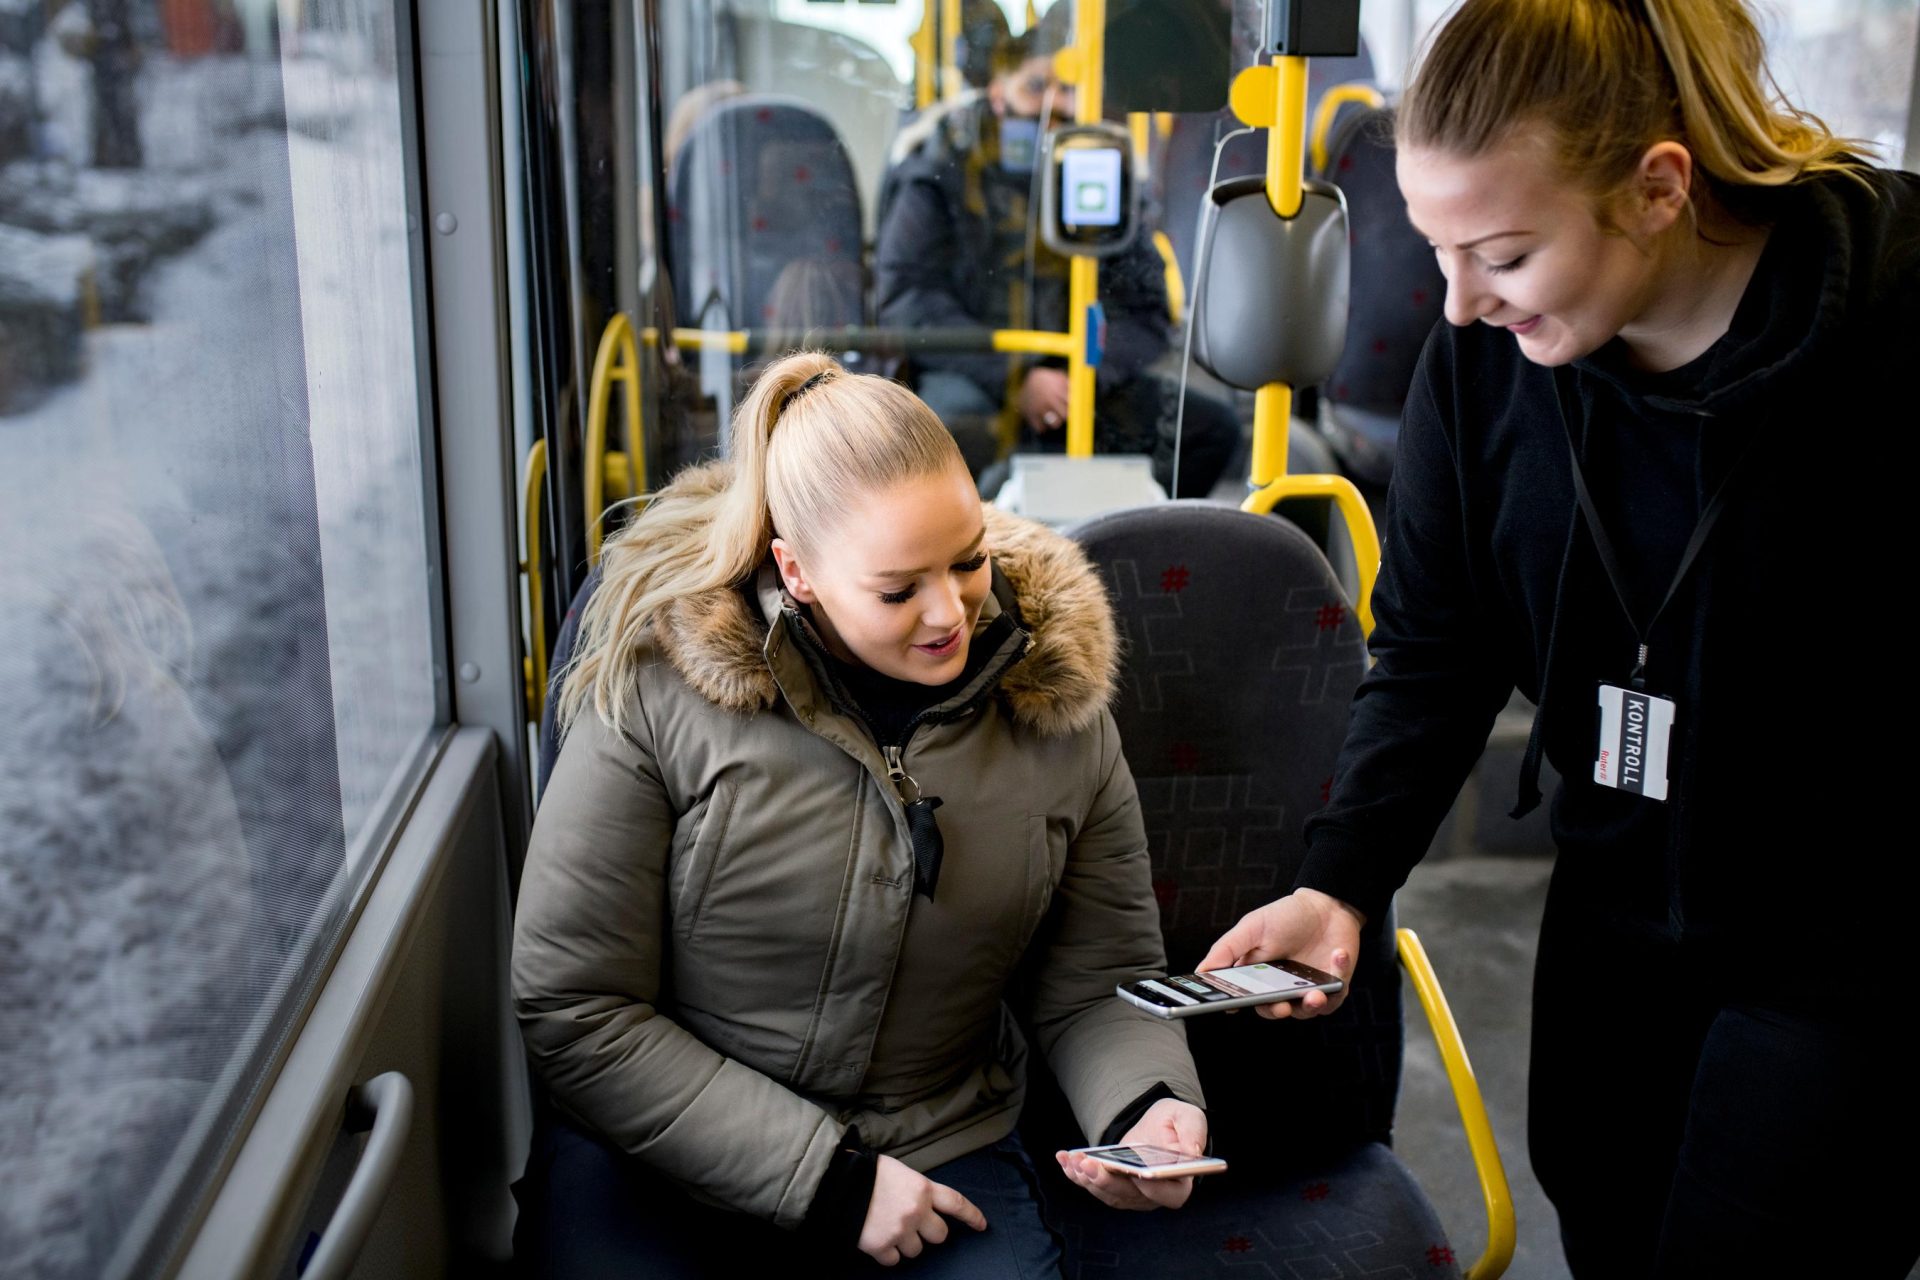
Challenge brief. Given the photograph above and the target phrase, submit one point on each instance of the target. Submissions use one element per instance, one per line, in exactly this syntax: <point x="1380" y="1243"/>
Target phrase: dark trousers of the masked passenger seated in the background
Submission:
<point x="1134" y="417"/>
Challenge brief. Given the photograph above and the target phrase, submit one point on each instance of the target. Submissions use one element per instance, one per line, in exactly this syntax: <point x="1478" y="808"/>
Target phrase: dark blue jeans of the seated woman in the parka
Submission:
<point x="588" y="1212"/>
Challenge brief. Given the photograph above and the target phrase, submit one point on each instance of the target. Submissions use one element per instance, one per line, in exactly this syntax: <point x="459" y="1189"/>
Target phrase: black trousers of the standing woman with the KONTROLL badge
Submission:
<point x="1694" y="1116"/>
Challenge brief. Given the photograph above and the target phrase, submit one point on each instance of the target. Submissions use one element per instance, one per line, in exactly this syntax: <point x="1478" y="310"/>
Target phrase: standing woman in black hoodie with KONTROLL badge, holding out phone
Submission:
<point x="1677" y="312"/>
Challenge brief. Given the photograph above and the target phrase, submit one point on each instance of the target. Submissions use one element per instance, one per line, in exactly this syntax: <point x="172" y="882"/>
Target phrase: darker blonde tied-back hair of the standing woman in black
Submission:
<point x="1610" y="80"/>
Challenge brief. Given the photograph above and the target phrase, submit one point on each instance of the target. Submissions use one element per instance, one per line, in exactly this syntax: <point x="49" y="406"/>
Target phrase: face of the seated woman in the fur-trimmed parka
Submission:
<point x="900" y="581"/>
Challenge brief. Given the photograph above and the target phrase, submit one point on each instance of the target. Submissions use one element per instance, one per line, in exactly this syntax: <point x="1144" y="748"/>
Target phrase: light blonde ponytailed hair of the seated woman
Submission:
<point x="807" y="442"/>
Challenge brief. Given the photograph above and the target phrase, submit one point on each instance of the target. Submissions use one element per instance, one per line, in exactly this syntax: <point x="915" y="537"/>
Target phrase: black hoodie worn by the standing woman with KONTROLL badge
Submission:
<point x="1790" y="732"/>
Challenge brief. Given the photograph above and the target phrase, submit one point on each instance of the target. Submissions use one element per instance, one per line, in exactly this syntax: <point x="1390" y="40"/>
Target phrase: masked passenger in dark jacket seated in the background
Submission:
<point x="959" y="249"/>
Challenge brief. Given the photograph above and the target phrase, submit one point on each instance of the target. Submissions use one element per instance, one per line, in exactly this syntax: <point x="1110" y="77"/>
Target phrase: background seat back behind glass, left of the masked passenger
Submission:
<point x="765" y="191"/>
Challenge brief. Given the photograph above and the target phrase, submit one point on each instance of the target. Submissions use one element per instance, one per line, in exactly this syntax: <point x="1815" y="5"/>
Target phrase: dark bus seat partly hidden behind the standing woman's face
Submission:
<point x="1395" y="300"/>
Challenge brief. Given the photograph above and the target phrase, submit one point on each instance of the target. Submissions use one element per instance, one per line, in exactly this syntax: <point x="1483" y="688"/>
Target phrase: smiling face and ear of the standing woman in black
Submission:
<point x="1529" y="254"/>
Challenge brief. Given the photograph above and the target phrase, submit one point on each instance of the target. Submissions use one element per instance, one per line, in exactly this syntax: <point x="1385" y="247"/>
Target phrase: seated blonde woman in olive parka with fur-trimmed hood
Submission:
<point x="840" y="797"/>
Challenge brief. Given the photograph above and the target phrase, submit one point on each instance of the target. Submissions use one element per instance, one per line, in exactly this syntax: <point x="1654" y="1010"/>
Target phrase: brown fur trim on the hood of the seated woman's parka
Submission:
<point x="717" y="642"/>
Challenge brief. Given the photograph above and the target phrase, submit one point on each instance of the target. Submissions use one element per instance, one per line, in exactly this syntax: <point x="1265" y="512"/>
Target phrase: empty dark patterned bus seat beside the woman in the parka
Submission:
<point x="1232" y="717"/>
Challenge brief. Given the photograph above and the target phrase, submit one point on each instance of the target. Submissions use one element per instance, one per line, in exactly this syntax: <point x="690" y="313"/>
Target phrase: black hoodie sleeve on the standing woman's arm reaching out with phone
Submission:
<point x="1441" y="667"/>
